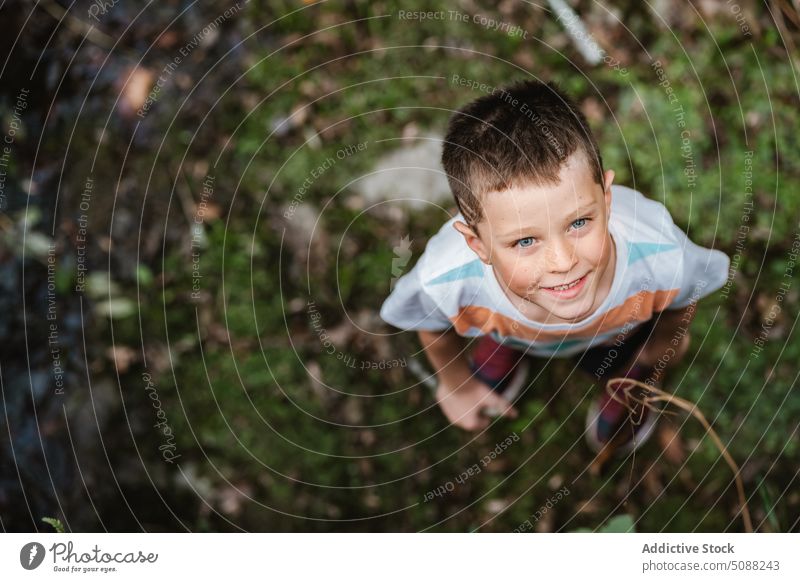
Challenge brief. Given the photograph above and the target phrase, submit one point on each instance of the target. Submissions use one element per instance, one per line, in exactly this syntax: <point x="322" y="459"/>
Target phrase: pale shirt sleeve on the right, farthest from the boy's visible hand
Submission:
<point x="704" y="271"/>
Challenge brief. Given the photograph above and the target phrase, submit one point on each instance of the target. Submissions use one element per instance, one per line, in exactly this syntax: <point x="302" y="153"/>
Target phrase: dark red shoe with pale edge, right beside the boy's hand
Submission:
<point x="502" y="368"/>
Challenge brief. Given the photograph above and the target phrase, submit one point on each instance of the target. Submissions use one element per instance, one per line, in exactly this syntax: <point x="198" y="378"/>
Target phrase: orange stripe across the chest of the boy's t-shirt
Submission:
<point x="636" y="308"/>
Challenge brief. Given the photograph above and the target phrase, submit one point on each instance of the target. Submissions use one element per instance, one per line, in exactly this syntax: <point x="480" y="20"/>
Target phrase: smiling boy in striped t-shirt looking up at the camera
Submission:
<point x="547" y="258"/>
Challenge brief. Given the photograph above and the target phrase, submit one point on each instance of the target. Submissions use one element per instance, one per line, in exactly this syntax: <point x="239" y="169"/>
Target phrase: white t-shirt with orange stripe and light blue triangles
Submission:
<point x="657" y="268"/>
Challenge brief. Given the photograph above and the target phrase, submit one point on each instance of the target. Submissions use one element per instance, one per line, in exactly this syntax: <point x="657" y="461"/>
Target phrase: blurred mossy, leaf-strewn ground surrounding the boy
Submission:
<point x="205" y="204"/>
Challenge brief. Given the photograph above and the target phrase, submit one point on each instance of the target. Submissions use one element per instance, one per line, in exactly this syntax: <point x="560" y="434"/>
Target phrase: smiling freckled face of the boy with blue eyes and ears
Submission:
<point x="540" y="238"/>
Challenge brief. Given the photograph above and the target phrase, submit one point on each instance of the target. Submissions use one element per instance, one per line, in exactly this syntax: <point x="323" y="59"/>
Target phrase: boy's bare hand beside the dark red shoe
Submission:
<point x="463" y="405"/>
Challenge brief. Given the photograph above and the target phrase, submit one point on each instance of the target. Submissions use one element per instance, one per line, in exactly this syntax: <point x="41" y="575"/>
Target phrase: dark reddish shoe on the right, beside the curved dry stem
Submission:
<point x="609" y="419"/>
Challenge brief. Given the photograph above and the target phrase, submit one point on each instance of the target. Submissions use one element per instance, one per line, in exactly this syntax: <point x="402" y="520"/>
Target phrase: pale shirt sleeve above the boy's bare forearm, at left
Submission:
<point x="409" y="307"/>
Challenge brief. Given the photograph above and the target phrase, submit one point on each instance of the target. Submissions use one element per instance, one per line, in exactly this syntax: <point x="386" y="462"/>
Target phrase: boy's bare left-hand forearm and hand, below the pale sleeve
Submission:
<point x="461" y="396"/>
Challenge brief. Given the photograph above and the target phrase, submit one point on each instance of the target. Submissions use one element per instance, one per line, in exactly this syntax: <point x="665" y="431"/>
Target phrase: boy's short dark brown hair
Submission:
<point x="519" y="135"/>
